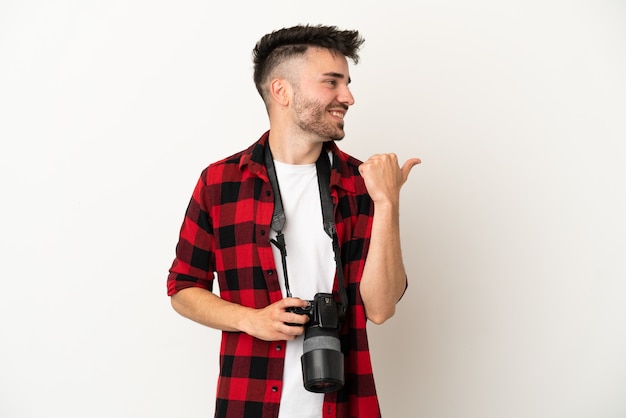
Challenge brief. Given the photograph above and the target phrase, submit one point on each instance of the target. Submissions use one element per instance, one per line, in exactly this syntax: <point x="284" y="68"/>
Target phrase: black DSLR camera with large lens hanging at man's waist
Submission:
<point x="322" y="359"/>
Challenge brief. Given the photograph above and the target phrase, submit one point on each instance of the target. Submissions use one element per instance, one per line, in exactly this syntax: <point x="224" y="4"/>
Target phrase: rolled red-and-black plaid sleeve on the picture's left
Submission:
<point x="194" y="263"/>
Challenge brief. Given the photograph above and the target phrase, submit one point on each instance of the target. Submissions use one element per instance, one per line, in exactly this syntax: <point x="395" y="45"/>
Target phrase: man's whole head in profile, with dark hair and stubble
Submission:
<point x="302" y="75"/>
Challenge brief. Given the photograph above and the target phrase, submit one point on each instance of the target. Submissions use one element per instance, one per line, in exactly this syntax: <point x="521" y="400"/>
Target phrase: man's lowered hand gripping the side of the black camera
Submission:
<point x="270" y="323"/>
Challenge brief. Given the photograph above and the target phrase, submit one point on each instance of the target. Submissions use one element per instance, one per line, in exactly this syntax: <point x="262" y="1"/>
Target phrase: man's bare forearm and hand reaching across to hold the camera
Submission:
<point x="269" y="323"/>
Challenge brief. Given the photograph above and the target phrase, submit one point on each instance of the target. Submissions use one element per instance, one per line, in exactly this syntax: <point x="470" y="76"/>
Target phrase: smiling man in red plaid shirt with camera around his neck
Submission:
<point x="302" y="74"/>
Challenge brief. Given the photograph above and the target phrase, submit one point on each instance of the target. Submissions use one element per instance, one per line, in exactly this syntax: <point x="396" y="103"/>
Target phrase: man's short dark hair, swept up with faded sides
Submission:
<point x="278" y="47"/>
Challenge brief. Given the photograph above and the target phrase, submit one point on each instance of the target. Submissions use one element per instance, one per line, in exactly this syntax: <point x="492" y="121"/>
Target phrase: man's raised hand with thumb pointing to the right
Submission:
<point x="384" y="177"/>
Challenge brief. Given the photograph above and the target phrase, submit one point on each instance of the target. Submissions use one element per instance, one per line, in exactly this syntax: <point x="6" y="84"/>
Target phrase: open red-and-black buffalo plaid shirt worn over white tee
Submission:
<point x="226" y="230"/>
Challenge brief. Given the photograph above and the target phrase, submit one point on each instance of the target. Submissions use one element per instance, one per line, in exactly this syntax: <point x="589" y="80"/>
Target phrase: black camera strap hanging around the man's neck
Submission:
<point x="328" y="216"/>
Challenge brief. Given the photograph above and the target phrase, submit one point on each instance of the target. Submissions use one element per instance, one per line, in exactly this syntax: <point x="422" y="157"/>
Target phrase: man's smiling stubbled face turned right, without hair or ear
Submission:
<point x="321" y="96"/>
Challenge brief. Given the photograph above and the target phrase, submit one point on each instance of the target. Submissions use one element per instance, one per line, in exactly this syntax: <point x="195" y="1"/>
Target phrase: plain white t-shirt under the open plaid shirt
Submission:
<point x="310" y="268"/>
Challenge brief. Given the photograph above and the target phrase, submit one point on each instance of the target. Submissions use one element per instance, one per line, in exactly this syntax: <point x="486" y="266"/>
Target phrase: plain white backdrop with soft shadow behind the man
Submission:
<point x="513" y="227"/>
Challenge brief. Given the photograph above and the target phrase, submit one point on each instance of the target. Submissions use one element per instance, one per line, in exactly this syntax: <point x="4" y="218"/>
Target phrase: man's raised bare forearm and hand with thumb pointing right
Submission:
<point x="384" y="277"/>
